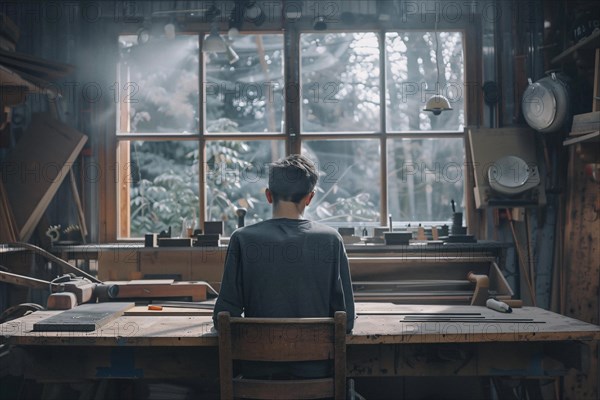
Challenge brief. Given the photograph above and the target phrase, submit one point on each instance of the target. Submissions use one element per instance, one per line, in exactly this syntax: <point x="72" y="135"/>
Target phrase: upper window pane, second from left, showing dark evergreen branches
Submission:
<point x="246" y="95"/>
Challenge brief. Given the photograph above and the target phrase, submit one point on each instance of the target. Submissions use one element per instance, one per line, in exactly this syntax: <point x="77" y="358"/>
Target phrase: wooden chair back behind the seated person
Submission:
<point x="282" y="339"/>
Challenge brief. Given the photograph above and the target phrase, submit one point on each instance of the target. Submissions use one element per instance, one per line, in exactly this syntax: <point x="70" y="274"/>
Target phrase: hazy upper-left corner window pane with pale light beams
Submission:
<point x="157" y="90"/>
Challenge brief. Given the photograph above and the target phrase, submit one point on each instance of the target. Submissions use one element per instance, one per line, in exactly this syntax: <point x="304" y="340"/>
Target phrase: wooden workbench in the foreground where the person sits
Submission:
<point x="387" y="340"/>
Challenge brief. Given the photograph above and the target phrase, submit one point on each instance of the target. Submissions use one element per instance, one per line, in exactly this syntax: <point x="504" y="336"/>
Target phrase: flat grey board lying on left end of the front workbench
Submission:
<point x="84" y="318"/>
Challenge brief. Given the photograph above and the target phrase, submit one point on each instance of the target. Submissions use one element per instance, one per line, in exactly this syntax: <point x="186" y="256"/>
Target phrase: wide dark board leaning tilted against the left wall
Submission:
<point x="37" y="166"/>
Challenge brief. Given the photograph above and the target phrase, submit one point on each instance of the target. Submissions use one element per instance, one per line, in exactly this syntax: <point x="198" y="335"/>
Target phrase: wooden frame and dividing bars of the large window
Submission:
<point x="112" y="229"/>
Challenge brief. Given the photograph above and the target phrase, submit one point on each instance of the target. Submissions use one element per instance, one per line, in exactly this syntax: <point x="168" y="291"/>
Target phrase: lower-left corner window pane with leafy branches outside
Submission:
<point x="163" y="185"/>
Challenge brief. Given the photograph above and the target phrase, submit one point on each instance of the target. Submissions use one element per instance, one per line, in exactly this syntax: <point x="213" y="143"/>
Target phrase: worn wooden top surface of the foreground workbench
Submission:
<point x="376" y="323"/>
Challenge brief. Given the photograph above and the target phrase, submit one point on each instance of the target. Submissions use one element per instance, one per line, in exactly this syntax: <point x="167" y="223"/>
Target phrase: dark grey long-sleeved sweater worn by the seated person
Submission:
<point x="286" y="268"/>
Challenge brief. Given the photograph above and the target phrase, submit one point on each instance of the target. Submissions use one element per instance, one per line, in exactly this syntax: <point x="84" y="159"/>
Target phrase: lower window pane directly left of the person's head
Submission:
<point x="237" y="176"/>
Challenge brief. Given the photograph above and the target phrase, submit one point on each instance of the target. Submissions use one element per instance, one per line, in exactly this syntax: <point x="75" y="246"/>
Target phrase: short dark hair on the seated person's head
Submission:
<point x="291" y="178"/>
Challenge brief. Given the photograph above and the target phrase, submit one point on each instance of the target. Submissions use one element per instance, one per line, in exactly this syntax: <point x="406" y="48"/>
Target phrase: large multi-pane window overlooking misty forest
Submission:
<point x="201" y="128"/>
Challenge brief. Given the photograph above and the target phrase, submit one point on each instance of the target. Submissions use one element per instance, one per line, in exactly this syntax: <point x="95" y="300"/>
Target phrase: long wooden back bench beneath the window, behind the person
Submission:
<point x="126" y="261"/>
